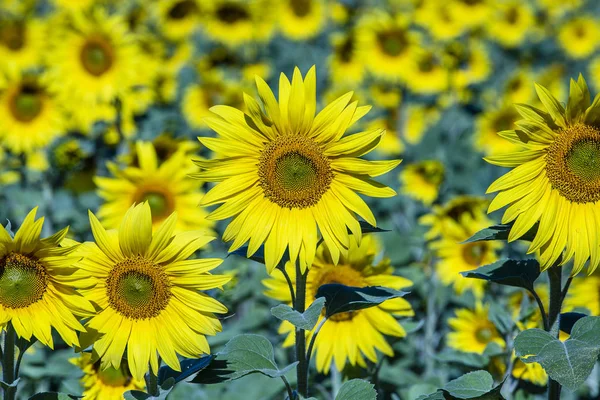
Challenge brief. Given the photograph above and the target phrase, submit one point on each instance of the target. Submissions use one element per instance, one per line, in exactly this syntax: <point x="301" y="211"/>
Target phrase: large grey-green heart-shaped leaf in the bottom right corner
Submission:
<point x="569" y="362"/>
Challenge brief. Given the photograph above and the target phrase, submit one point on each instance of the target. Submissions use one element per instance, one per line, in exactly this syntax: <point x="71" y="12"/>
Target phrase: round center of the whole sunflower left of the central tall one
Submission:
<point x="137" y="288"/>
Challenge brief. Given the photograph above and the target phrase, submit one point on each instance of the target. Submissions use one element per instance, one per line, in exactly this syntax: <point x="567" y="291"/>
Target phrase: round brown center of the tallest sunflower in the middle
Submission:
<point x="294" y="172"/>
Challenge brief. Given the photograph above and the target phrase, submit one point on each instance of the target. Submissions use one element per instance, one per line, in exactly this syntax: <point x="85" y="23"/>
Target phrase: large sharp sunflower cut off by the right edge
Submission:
<point x="555" y="178"/>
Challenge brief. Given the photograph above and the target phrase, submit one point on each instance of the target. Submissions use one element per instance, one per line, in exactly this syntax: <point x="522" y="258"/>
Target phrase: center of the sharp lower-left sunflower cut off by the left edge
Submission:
<point x="23" y="280"/>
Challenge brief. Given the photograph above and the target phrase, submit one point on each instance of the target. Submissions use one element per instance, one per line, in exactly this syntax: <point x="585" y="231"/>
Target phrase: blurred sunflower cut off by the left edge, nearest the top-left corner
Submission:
<point x="21" y="42"/>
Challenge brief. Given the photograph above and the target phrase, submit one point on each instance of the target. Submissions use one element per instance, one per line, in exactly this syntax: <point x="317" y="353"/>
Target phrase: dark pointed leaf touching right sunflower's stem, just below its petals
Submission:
<point x="517" y="273"/>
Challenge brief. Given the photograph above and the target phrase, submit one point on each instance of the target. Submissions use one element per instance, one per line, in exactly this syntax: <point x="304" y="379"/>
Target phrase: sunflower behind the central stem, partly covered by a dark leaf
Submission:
<point x="356" y="335"/>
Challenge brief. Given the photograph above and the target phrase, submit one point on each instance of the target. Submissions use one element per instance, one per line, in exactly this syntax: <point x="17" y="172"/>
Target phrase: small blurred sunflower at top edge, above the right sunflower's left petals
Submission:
<point x="511" y="23"/>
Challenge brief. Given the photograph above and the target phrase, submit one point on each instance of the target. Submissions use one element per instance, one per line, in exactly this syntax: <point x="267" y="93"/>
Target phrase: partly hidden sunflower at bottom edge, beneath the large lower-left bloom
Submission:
<point x="108" y="384"/>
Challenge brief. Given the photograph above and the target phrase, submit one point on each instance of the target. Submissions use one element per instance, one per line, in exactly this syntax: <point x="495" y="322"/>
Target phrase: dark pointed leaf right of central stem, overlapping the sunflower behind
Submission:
<point x="341" y="298"/>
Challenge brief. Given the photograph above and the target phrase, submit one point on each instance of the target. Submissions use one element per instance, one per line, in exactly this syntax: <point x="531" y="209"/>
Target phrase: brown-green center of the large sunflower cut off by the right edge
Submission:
<point x="573" y="164"/>
